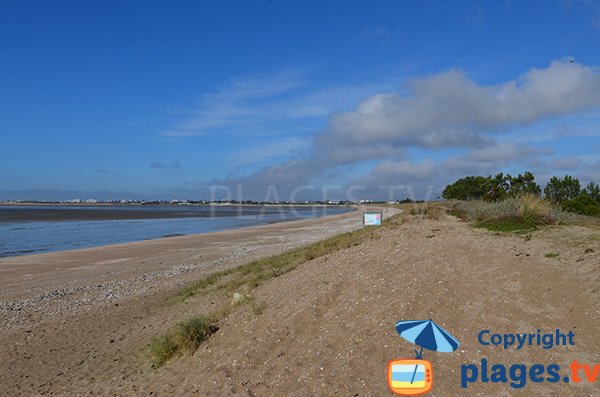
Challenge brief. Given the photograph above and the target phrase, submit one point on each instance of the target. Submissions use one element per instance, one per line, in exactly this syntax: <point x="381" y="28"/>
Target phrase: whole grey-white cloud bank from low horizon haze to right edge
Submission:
<point x="433" y="113"/>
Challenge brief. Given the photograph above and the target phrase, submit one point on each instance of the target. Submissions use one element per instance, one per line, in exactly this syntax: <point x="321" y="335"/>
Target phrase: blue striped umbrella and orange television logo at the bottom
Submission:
<point x="412" y="377"/>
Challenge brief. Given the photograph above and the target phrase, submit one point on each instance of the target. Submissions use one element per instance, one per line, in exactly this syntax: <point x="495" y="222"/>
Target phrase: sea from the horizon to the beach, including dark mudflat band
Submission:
<point x="34" y="229"/>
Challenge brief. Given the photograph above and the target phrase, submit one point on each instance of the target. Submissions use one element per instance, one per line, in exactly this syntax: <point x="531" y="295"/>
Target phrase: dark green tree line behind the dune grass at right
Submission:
<point x="565" y="192"/>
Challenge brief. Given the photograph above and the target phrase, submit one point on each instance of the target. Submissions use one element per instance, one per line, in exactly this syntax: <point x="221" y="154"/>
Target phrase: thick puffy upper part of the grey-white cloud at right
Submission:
<point x="448" y="109"/>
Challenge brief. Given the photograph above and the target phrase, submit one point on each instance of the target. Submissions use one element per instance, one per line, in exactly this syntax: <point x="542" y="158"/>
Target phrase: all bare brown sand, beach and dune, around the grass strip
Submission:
<point x="76" y="323"/>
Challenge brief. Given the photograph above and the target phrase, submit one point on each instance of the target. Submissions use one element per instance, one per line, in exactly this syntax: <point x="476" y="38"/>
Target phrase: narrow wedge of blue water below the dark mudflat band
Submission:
<point x="29" y="237"/>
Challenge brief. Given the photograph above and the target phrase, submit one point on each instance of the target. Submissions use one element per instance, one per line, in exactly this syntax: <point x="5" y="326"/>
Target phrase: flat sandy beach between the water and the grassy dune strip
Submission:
<point x="41" y="295"/>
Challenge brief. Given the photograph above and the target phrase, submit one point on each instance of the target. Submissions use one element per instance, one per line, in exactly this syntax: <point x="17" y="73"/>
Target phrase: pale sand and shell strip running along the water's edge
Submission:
<point x="25" y="276"/>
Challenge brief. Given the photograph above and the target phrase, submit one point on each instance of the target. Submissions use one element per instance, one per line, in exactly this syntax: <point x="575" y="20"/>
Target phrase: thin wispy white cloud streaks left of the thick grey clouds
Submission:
<point x="259" y="105"/>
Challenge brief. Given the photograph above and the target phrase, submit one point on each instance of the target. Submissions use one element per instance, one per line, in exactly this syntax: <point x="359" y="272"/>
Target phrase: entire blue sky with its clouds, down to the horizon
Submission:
<point x="166" y="99"/>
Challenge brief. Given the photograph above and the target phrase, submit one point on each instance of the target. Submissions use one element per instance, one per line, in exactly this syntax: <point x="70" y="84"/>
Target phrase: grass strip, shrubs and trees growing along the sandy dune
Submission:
<point x="501" y="203"/>
